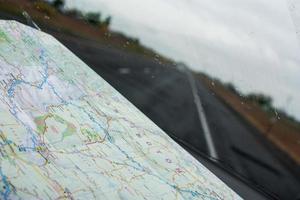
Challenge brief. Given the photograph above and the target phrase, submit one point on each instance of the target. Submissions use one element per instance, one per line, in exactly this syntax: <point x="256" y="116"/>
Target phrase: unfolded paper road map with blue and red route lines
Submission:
<point x="65" y="133"/>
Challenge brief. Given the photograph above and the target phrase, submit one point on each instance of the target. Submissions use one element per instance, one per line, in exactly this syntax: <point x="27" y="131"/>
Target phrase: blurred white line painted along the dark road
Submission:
<point x="207" y="134"/>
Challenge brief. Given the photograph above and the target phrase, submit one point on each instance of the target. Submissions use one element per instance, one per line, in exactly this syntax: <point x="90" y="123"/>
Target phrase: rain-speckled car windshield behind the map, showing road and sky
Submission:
<point x="221" y="78"/>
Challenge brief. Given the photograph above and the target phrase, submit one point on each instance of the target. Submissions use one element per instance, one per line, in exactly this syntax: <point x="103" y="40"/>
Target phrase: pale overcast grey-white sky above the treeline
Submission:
<point x="251" y="43"/>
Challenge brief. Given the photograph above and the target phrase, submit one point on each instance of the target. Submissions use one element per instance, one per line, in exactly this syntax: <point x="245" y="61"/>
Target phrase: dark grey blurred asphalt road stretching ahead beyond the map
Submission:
<point x="165" y="94"/>
